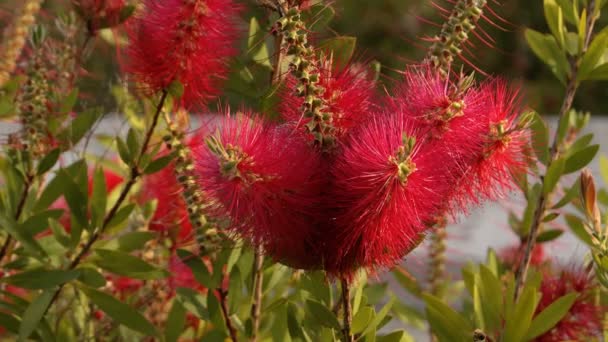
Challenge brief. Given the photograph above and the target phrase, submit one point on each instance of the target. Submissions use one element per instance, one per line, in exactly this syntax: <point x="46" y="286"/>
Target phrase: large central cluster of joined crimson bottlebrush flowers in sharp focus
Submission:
<point x="397" y="168"/>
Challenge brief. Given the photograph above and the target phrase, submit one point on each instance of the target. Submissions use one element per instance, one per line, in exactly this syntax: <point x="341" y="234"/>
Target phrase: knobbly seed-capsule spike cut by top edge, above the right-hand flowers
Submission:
<point x="454" y="32"/>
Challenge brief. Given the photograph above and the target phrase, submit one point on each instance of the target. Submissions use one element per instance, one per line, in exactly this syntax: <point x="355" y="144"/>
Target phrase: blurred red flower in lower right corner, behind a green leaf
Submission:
<point x="583" y="322"/>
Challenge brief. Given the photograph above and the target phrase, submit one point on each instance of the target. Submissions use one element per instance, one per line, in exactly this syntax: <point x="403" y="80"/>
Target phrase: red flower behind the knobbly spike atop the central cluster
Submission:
<point x="349" y="94"/>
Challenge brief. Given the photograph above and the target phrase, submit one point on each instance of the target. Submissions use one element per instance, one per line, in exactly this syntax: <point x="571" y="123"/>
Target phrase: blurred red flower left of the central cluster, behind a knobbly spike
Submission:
<point x="171" y="215"/>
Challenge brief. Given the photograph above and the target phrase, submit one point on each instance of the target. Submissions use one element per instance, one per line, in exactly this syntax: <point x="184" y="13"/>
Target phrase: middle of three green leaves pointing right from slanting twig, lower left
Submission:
<point x="127" y="265"/>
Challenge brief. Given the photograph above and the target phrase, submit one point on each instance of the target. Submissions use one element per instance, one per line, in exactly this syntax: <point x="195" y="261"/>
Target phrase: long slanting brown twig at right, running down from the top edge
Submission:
<point x="539" y="213"/>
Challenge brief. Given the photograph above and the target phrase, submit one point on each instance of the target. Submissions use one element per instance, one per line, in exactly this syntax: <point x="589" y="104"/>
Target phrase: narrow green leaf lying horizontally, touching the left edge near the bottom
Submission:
<point x="41" y="278"/>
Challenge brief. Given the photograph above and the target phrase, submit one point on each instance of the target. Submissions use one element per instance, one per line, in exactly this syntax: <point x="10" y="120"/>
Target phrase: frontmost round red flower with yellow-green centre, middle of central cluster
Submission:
<point x="388" y="186"/>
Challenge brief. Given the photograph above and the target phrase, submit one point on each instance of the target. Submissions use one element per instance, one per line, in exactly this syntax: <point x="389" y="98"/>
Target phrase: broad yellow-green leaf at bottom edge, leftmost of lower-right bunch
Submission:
<point x="446" y="323"/>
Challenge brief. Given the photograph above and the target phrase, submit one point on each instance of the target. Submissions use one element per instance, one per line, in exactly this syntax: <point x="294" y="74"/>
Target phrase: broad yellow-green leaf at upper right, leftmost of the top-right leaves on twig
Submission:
<point x="545" y="47"/>
